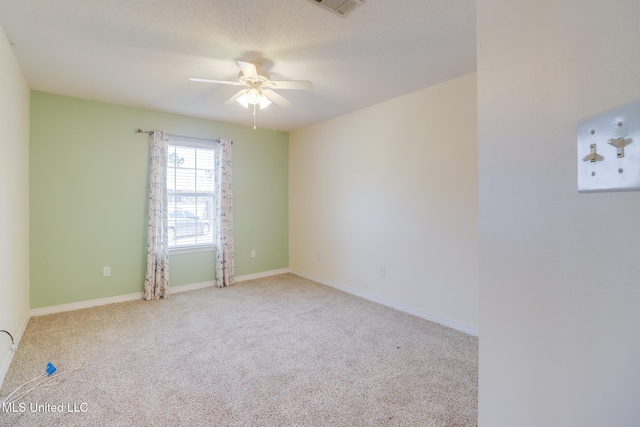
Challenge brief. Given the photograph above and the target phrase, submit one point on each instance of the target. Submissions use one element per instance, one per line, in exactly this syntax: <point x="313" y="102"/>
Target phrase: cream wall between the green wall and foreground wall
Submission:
<point x="392" y="185"/>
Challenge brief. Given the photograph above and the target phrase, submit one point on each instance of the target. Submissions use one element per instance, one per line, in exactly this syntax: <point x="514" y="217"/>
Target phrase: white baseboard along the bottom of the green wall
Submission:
<point x="139" y="295"/>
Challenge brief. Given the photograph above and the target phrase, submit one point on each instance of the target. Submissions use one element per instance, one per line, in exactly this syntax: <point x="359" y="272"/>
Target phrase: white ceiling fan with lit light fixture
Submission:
<point x="259" y="86"/>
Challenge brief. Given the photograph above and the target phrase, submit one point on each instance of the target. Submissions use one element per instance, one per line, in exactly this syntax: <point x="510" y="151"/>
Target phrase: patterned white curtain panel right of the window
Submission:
<point x="223" y="228"/>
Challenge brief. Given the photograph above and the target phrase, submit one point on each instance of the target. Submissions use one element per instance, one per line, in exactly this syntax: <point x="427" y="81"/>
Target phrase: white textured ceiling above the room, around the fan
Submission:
<point x="142" y="52"/>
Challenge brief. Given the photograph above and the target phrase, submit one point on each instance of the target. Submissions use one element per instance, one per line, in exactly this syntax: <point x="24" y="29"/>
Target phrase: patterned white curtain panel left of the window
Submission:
<point x="156" y="284"/>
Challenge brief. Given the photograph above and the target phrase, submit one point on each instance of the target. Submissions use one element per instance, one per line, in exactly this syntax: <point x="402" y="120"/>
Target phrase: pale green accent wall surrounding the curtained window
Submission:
<point x="88" y="189"/>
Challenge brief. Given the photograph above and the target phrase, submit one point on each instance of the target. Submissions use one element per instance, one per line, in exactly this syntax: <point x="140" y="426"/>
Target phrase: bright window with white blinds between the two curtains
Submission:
<point x="190" y="193"/>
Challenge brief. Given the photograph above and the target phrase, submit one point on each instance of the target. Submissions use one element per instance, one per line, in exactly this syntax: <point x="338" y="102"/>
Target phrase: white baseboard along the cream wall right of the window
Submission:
<point x="454" y="324"/>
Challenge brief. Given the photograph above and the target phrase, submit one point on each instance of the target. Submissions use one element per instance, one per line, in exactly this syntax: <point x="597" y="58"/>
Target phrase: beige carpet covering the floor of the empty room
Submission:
<point x="280" y="351"/>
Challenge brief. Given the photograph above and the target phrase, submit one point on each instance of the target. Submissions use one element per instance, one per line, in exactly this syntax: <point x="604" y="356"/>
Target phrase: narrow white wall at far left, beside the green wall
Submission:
<point x="14" y="201"/>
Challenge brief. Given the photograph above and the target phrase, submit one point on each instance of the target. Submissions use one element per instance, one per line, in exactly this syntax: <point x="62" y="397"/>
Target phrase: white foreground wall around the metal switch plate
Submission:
<point x="559" y="270"/>
